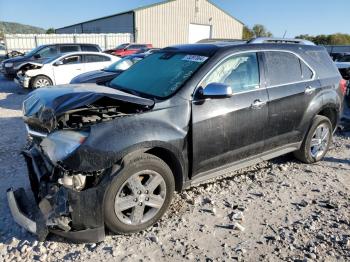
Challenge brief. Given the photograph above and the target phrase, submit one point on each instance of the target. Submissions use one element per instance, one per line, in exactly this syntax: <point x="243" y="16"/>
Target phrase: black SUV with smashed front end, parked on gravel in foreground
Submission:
<point x="114" y="155"/>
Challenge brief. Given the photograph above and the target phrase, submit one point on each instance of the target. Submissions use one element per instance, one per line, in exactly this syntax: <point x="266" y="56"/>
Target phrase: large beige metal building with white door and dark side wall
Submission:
<point x="166" y="23"/>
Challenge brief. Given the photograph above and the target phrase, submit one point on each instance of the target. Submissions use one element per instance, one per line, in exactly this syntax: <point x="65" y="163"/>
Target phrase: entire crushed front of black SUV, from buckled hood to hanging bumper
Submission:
<point x="68" y="179"/>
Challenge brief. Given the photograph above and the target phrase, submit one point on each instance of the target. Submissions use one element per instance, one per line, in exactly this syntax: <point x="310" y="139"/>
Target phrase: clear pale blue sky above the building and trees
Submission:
<point x="294" y="16"/>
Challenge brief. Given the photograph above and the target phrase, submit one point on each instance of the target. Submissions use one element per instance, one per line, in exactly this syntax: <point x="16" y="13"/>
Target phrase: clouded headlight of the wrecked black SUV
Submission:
<point x="59" y="145"/>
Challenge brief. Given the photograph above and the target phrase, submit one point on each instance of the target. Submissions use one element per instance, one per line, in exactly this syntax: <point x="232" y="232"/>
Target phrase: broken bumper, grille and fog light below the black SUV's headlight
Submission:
<point x="67" y="204"/>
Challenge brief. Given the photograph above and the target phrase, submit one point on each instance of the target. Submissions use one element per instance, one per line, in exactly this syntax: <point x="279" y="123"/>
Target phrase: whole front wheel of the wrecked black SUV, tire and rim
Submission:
<point x="138" y="195"/>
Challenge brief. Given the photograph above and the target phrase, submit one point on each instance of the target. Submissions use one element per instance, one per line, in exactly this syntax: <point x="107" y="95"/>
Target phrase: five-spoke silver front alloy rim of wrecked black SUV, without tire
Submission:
<point x="140" y="197"/>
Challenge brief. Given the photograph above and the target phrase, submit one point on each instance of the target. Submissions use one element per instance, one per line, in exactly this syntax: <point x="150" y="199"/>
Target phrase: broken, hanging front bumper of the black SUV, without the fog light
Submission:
<point x="83" y="209"/>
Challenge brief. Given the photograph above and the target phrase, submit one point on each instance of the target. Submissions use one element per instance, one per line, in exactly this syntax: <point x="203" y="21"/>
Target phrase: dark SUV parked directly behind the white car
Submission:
<point x="42" y="53"/>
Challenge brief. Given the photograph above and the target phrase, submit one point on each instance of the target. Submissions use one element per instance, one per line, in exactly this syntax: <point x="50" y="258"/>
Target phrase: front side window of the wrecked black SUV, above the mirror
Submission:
<point x="241" y="72"/>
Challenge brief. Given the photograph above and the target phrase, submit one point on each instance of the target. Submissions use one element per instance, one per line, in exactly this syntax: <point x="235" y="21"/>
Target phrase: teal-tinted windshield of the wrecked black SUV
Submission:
<point x="159" y="75"/>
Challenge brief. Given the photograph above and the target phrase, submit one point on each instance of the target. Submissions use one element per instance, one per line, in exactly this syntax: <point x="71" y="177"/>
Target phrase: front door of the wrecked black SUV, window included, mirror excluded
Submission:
<point x="230" y="129"/>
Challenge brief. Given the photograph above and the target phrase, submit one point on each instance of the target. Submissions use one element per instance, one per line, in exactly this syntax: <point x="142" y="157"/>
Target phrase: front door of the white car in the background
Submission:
<point x="71" y="67"/>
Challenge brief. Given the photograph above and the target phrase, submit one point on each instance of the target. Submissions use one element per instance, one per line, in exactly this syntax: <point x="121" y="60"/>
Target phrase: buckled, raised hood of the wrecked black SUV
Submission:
<point x="46" y="104"/>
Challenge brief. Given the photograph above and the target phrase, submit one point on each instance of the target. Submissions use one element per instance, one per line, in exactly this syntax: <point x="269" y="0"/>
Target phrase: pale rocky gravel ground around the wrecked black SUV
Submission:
<point x="277" y="210"/>
